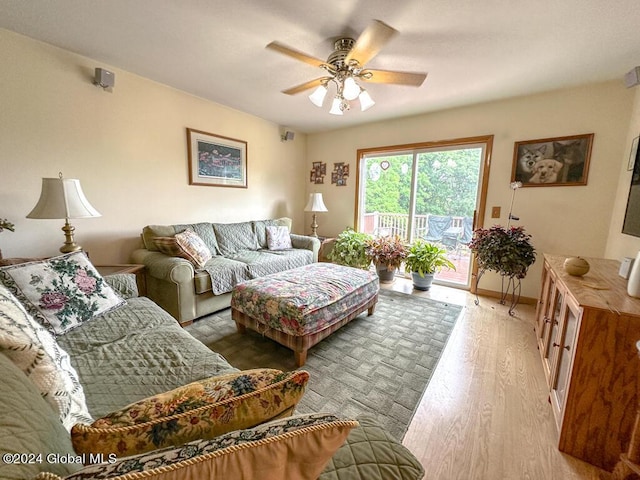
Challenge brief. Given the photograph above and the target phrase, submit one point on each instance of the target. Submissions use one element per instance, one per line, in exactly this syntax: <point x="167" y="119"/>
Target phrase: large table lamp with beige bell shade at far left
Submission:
<point x="63" y="198"/>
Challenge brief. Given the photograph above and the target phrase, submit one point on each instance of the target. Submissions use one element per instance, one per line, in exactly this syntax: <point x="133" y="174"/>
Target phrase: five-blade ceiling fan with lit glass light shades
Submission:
<point x="346" y="64"/>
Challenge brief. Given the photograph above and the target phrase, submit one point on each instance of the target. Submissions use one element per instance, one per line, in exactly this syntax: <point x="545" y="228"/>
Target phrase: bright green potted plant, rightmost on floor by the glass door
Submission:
<point x="424" y="260"/>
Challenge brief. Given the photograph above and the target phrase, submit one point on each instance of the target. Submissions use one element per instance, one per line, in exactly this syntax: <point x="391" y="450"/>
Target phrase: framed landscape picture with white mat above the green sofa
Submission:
<point x="215" y="160"/>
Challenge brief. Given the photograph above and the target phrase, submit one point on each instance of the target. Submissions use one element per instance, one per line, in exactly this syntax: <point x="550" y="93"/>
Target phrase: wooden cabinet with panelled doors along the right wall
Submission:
<point x="587" y="328"/>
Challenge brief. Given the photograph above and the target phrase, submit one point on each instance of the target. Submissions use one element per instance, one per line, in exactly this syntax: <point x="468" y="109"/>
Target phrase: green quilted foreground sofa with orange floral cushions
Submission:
<point x="136" y="358"/>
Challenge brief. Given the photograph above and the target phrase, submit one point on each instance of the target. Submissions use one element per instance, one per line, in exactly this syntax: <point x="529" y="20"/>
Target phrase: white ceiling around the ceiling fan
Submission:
<point x="474" y="51"/>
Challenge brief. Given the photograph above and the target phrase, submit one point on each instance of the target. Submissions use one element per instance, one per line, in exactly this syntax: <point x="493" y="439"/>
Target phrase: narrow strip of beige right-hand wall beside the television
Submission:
<point x="620" y="245"/>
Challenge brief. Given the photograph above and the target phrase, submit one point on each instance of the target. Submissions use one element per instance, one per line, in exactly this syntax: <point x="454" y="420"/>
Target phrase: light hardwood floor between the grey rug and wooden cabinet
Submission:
<point x="485" y="413"/>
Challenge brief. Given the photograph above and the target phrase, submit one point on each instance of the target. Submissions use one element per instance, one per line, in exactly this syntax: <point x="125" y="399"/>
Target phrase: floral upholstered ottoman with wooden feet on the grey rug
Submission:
<point x="299" y="307"/>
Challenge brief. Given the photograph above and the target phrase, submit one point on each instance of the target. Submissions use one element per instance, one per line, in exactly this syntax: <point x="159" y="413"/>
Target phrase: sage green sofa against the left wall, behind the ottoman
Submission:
<point x="240" y="252"/>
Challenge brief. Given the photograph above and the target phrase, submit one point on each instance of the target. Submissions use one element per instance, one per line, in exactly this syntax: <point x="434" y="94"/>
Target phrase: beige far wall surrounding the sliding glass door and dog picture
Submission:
<point x="563" y="220"/>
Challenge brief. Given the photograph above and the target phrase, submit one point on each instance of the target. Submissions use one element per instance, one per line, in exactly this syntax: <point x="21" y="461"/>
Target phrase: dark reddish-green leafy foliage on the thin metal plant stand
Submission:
<point x="506" y="251"/>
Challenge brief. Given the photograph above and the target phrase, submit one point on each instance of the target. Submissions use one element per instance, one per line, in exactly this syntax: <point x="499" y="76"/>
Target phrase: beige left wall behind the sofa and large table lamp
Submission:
<point x="128" y="148"/>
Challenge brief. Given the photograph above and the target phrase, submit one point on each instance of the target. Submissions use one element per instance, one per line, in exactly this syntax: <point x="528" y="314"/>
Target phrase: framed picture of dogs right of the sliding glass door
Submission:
<point x="552" y="162"/>
